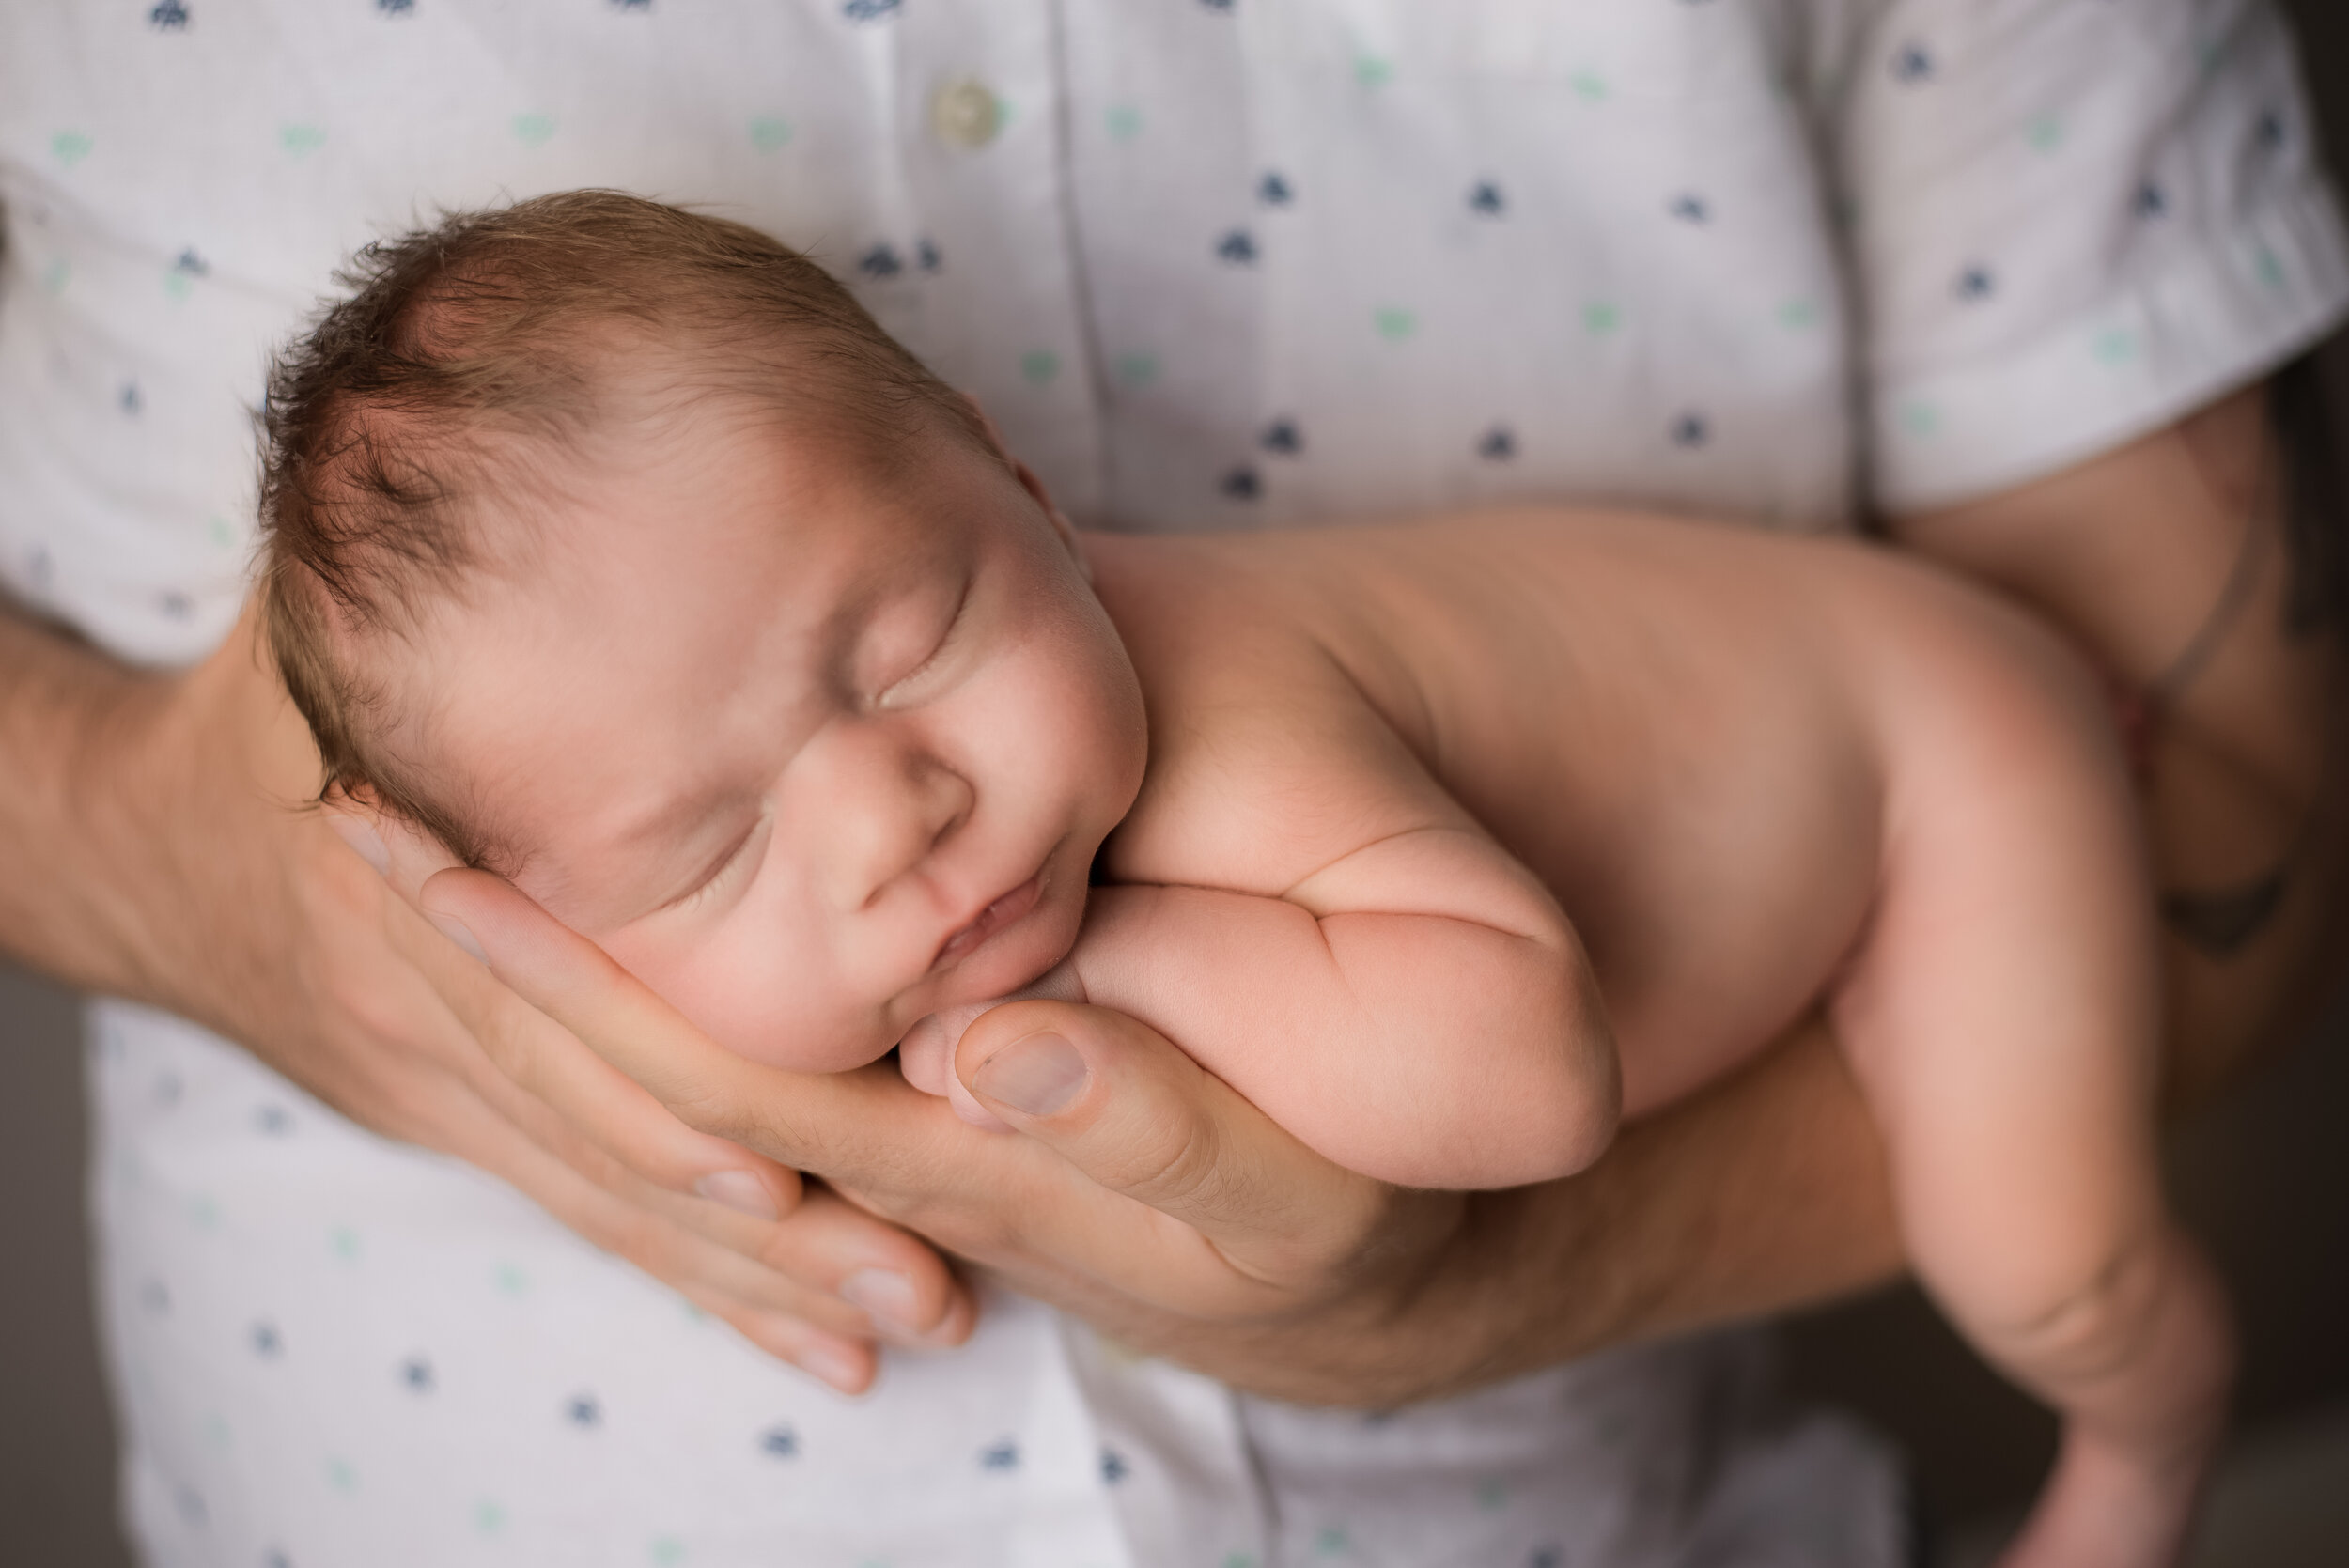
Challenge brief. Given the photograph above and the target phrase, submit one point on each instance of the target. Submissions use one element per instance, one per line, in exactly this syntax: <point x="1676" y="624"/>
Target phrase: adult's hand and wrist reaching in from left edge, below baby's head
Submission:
<point x="161" y="849"/>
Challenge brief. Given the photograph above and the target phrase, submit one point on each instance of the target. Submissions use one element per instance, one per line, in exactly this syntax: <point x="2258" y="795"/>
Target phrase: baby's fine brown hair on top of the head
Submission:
<point x="476" y="344"/>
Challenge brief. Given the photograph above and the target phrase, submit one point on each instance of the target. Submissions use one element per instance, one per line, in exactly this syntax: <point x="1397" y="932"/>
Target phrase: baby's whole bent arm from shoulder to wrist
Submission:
<point x="1324" y="928"/>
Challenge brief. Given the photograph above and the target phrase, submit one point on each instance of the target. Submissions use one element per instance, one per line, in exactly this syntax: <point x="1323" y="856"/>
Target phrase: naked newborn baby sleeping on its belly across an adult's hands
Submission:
<point x="619" y="553"/>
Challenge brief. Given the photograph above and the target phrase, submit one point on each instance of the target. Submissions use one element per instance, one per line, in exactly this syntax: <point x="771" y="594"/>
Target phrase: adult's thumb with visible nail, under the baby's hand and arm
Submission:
<point x="1143" y="1121"/>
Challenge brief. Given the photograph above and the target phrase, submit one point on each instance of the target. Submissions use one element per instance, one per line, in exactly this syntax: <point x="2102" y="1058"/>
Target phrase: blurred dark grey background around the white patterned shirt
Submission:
<point x="2263" y="1177"/>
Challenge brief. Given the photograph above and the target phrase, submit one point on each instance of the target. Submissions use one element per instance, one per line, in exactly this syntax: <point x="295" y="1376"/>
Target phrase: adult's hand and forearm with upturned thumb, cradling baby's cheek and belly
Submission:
<point x="1152" y="1201"/>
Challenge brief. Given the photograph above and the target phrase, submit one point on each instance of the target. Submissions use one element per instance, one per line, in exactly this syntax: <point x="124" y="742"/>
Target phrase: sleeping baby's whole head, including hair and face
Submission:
<point x="617" y="550"/>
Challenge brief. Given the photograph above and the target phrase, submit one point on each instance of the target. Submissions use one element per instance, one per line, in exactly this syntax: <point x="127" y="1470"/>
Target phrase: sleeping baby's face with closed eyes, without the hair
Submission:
<point x="814" y="752"/>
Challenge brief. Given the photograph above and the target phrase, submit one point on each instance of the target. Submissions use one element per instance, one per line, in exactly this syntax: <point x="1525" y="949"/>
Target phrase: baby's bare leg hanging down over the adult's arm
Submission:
<point x="2003" y="1020"/>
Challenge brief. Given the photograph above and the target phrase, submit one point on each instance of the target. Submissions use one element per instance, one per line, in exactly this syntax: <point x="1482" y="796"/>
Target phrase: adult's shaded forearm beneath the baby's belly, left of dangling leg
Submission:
<point x="1763" y="1194"/>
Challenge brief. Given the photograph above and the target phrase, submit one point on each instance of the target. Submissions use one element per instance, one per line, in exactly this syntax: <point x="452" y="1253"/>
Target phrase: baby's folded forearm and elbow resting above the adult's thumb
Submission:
<point x="1408" y="1013"/>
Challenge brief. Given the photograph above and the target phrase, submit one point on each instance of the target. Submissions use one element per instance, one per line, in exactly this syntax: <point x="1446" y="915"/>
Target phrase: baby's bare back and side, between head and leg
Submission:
<point x="1683" y="729"/>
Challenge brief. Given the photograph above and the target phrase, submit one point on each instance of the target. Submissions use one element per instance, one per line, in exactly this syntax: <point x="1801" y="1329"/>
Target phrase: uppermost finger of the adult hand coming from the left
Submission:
<point x="588" y="1093"/>
